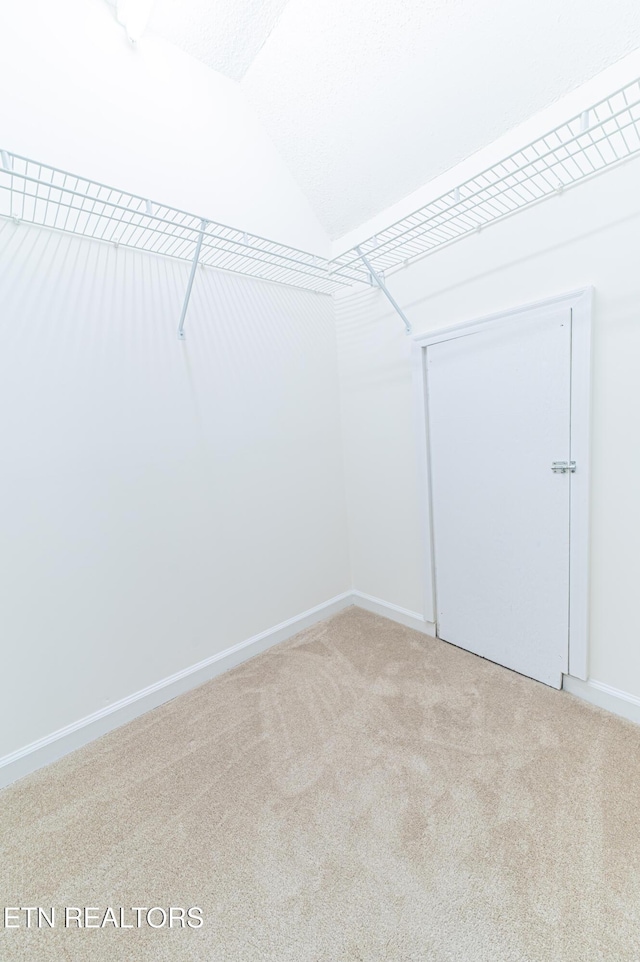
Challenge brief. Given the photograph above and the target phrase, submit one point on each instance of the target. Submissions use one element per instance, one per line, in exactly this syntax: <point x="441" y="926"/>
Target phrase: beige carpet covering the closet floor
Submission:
<point x="361" y="793"/>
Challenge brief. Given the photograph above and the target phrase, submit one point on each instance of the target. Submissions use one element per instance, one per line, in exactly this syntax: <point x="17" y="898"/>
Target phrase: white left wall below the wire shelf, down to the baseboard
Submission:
<point x="160" y="501"/>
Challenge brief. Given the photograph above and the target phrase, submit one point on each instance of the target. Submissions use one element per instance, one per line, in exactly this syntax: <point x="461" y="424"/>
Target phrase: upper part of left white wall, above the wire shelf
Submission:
<point x="147" y="119"/>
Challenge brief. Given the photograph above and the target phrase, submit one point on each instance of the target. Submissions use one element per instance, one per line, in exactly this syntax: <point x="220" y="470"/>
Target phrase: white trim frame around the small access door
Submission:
<point x="580" y="303"/>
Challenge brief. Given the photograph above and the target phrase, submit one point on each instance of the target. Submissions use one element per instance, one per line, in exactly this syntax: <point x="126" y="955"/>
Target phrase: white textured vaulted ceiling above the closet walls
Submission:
<point x="367" y="100"/>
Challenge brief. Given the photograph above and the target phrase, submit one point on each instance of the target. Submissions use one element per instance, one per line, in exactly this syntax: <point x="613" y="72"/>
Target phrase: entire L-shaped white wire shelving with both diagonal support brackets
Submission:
<point x="599" y="138"/>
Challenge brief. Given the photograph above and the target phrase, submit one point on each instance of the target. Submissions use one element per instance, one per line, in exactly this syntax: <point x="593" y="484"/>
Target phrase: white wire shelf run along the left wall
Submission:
<point x="40" y="194"/>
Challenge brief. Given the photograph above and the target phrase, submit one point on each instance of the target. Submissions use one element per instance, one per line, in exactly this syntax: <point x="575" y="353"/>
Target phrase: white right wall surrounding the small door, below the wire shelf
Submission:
<point x="587" y="236"/>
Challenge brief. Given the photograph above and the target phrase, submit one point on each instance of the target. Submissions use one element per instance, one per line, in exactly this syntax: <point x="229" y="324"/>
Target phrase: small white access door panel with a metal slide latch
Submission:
<point x="499" y="416"/>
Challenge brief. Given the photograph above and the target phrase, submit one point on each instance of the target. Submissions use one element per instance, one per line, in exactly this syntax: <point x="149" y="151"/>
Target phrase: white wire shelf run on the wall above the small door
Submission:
<point x="598" y="138"/>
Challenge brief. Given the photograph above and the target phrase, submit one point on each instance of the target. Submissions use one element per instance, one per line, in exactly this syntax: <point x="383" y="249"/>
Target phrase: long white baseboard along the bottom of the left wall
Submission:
<point x="46" y="750"/>
